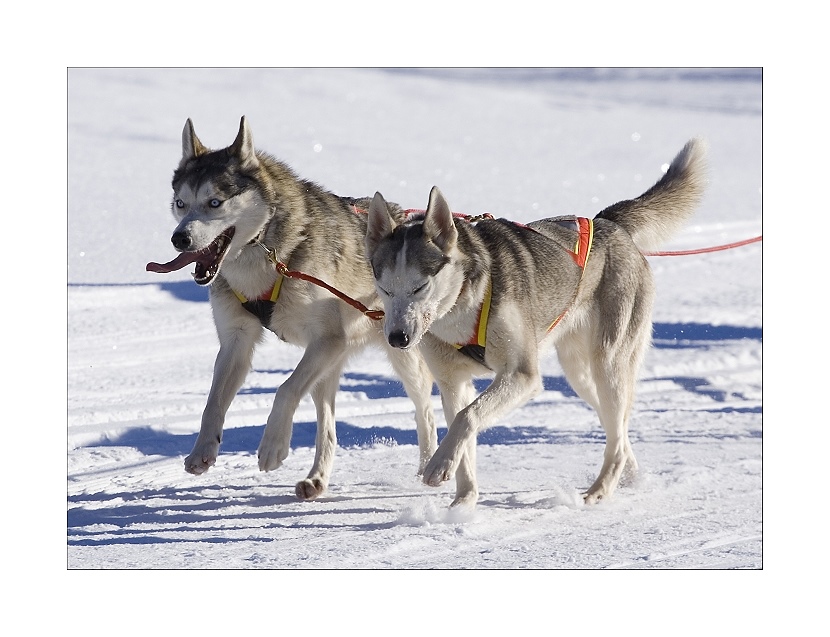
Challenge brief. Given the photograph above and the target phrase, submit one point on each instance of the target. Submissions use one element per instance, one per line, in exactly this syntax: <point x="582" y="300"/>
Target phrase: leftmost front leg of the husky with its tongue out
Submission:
<point x="233" y="362"/>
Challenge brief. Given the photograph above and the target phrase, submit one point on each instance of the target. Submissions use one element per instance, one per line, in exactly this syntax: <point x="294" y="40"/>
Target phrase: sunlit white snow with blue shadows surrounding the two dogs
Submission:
<point x="520" y="144"/>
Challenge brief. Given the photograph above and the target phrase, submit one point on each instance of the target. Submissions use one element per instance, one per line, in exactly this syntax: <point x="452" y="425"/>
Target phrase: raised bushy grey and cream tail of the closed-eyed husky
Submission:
<point x="652" y="218"/>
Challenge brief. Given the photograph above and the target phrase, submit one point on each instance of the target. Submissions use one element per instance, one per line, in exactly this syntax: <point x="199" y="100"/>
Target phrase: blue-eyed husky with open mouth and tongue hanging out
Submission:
<point x="233" y="206"/>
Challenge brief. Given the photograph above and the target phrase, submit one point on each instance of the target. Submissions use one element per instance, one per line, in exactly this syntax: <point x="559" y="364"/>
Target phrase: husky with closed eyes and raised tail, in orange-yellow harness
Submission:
<point x="483" y="297"/>
